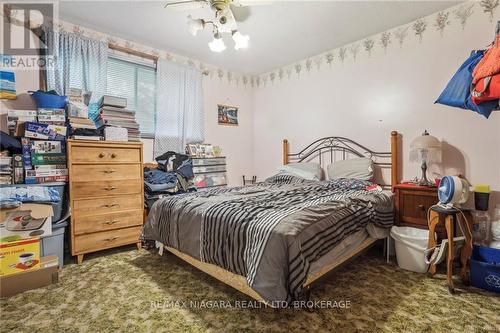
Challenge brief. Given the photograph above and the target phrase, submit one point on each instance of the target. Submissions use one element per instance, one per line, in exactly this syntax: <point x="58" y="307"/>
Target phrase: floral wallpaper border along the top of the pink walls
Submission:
<point x="419" y="28"/>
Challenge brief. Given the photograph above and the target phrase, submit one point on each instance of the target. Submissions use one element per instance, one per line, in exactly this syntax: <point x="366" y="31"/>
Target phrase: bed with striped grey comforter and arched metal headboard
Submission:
<point x="275" y="239"/>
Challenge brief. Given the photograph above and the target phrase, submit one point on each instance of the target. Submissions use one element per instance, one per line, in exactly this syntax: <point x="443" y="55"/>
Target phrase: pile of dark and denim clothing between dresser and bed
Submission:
<point x="173" y="175"/>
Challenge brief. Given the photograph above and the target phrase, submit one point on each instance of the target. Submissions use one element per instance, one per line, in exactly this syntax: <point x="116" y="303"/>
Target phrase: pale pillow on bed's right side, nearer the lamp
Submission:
<point x="357" y="168"/>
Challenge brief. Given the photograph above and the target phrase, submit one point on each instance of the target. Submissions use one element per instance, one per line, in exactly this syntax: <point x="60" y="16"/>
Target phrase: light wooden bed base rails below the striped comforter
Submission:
<point x="239" y="282"/>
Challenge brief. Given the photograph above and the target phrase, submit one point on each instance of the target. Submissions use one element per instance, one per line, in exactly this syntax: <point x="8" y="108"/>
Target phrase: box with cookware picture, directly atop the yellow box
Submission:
<point x="31" y="226"/>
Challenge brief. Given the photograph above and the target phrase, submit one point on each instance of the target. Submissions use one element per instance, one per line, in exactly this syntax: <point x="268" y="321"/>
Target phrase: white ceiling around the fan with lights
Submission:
<point x="280" y="33"/>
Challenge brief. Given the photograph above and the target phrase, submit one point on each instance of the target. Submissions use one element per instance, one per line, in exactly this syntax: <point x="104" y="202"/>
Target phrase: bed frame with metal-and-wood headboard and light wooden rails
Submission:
<point x="330" y="144"/>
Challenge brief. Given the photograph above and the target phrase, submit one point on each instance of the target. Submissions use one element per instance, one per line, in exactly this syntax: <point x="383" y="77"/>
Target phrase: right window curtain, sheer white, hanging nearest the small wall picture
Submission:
<point x="179" y="107"/>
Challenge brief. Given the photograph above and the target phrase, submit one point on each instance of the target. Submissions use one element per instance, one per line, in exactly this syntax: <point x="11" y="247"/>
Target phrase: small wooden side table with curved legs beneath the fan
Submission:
<point x="448" y="217"/>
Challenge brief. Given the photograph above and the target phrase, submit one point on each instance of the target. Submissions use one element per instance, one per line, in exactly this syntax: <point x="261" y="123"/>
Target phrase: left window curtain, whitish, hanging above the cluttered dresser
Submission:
<point x="80" y="62"/>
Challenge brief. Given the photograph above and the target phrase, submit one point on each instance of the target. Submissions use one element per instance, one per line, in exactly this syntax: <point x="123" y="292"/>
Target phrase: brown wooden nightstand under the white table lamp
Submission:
<point x="411" y="206"/>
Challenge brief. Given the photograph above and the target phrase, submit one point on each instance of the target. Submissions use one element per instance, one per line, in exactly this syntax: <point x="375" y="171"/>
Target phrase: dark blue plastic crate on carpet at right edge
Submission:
<point x="485" y="268"/>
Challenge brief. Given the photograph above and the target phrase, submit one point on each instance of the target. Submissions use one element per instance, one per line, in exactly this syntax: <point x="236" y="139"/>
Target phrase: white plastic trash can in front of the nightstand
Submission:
<point x="411" y="244"/>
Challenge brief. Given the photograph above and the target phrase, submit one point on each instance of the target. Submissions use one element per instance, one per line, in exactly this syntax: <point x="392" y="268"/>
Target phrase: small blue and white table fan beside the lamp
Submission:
<point x="453" y="190"/>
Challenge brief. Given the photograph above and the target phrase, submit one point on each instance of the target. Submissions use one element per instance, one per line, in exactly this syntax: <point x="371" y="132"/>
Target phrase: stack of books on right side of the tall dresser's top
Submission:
<point x="113" y="112"/>
